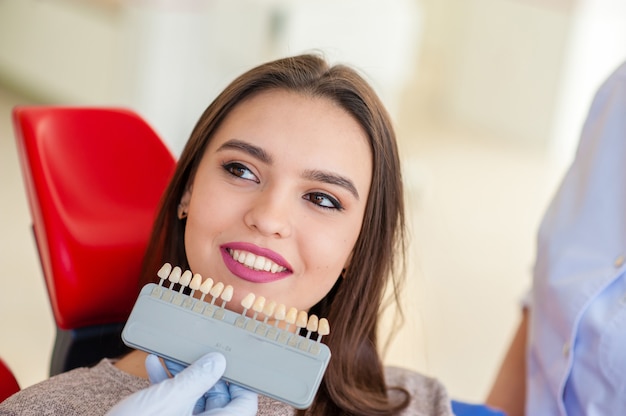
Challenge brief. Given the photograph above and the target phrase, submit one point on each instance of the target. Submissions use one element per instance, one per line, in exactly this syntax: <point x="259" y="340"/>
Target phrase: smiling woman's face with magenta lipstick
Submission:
<point x="278" y="199"/>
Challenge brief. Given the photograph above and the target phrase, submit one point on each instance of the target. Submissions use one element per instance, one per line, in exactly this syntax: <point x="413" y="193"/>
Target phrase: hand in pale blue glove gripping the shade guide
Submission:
<point x="177" y="396"/>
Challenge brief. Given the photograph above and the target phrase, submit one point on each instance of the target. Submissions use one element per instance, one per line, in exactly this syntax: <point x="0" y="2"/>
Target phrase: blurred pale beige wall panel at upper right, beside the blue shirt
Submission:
<point x="497" y="64"/>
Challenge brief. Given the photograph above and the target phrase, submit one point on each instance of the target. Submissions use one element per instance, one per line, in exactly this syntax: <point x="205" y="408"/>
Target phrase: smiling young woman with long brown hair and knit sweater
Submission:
<point x="289" y="187"/>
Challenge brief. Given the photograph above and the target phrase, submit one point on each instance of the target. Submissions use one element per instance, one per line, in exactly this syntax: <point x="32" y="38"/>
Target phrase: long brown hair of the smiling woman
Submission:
<point x="354" y="382"/>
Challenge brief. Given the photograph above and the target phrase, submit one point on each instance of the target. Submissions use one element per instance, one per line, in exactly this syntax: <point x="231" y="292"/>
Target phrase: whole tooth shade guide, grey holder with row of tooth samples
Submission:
<point x="154" y="320"/>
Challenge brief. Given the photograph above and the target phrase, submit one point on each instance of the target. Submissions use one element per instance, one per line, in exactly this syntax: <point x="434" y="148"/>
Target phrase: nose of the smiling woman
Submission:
<point x="269" y="214"/>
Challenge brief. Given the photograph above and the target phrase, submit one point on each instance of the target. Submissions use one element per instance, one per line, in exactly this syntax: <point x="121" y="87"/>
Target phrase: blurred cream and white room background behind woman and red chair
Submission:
<point x="487" y="96"/>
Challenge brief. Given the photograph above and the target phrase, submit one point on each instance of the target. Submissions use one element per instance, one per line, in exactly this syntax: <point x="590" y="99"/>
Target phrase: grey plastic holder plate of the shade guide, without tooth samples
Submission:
<point x="153" y="322"/>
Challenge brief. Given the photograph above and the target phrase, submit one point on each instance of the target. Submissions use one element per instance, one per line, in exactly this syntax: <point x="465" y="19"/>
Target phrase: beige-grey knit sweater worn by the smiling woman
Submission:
<point x="93" y="391"/>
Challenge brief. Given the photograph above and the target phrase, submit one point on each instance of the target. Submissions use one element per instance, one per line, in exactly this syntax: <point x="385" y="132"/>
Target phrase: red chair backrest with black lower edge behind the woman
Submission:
<point x="94" y="178"/>
